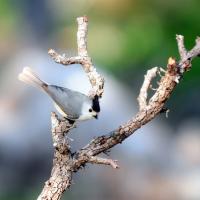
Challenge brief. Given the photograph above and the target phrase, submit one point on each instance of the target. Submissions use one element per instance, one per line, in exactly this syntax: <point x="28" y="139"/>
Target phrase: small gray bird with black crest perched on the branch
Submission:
<point x="72" y="105"/>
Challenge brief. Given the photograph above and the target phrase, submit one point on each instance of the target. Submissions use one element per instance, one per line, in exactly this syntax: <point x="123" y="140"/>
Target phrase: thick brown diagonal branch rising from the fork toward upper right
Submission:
<point x="156" y="104"/>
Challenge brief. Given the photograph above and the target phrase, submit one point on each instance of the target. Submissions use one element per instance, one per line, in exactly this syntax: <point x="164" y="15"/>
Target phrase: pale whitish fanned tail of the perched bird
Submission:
<point x="29" y="77"/>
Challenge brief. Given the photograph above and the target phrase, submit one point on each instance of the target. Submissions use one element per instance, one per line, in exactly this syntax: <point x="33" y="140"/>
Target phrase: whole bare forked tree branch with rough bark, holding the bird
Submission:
<point x="65" y="162"/>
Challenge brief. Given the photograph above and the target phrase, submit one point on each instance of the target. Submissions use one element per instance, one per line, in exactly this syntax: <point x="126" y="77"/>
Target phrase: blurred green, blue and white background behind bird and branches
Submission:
<point x="126" y="38"/>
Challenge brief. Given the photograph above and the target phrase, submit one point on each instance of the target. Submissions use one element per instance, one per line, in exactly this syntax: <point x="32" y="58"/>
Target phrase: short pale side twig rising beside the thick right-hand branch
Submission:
<point x="142" y="98"/>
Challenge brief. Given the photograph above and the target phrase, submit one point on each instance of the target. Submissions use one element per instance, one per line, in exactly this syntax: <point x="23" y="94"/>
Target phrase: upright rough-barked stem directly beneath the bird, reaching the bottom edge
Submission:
<point x="61" y="174"/>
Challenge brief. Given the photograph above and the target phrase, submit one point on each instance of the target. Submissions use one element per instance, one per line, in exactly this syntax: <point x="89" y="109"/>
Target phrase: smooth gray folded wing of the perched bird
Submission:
<point x="68" y="100"/>
